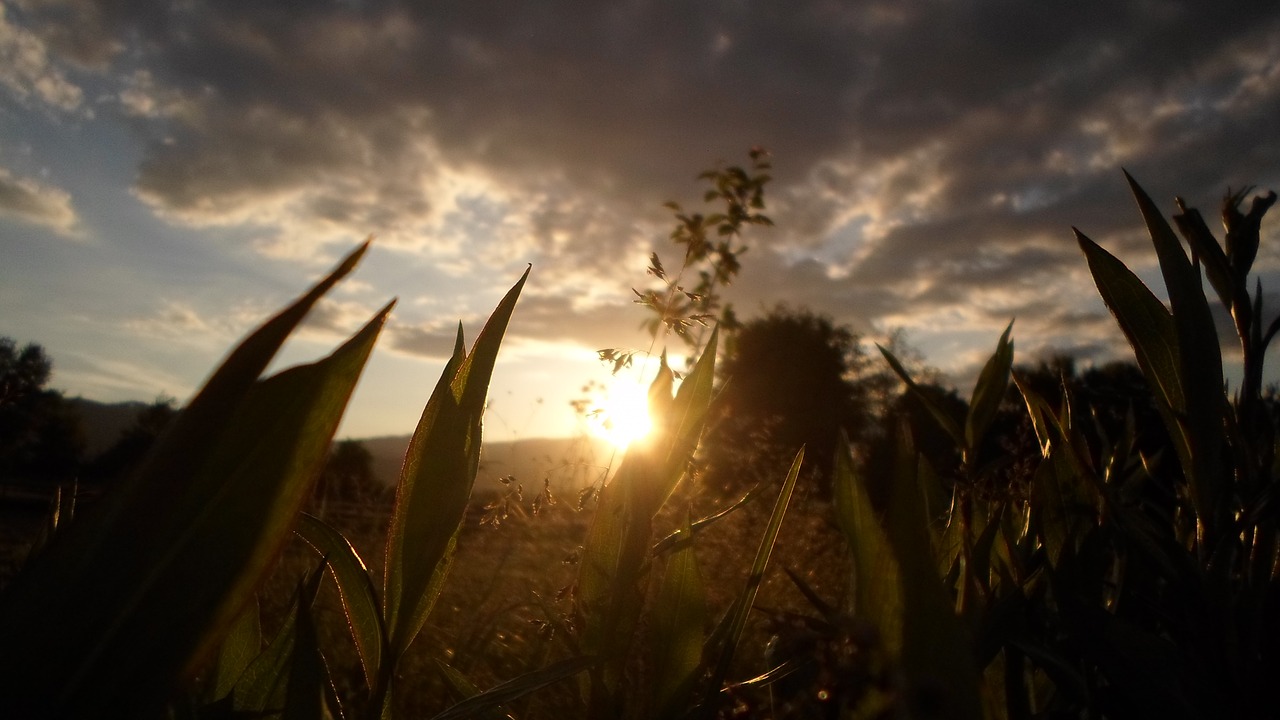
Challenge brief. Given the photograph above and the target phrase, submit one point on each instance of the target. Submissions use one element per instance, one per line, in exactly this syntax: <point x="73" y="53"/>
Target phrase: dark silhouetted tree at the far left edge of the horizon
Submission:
<point x="40" y="434"/>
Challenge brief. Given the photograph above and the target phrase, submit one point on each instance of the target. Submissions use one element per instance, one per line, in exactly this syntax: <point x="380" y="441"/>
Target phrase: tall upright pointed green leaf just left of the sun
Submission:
<point x="436" y="482"/>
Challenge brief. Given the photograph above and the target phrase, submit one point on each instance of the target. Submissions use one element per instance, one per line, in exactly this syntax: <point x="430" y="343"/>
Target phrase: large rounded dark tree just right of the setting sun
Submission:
<point x="789" y="381"/>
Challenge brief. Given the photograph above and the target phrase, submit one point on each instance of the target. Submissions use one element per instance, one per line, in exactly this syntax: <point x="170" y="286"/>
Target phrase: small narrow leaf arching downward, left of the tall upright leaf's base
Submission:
<point x="355" y="589"/>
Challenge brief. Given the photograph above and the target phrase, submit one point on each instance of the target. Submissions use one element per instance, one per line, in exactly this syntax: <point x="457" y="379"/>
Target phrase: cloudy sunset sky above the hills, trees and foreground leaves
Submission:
<point x="171" y="174"/>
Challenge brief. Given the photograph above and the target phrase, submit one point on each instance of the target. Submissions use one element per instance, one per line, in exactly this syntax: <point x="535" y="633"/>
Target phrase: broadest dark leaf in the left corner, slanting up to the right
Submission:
<point x="216" y="526"/>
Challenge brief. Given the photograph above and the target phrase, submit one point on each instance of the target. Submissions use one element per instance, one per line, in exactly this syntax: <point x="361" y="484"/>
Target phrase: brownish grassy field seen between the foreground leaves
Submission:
<point x="510" y="593"/>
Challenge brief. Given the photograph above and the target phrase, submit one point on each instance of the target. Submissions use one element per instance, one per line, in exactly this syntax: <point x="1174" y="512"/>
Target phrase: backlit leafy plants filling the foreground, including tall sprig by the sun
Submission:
<point x="1094" y="566"/>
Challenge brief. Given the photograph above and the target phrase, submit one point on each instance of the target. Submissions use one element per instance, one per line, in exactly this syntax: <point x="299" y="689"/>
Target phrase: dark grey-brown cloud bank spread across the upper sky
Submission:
<point x="963" y="139"/>
